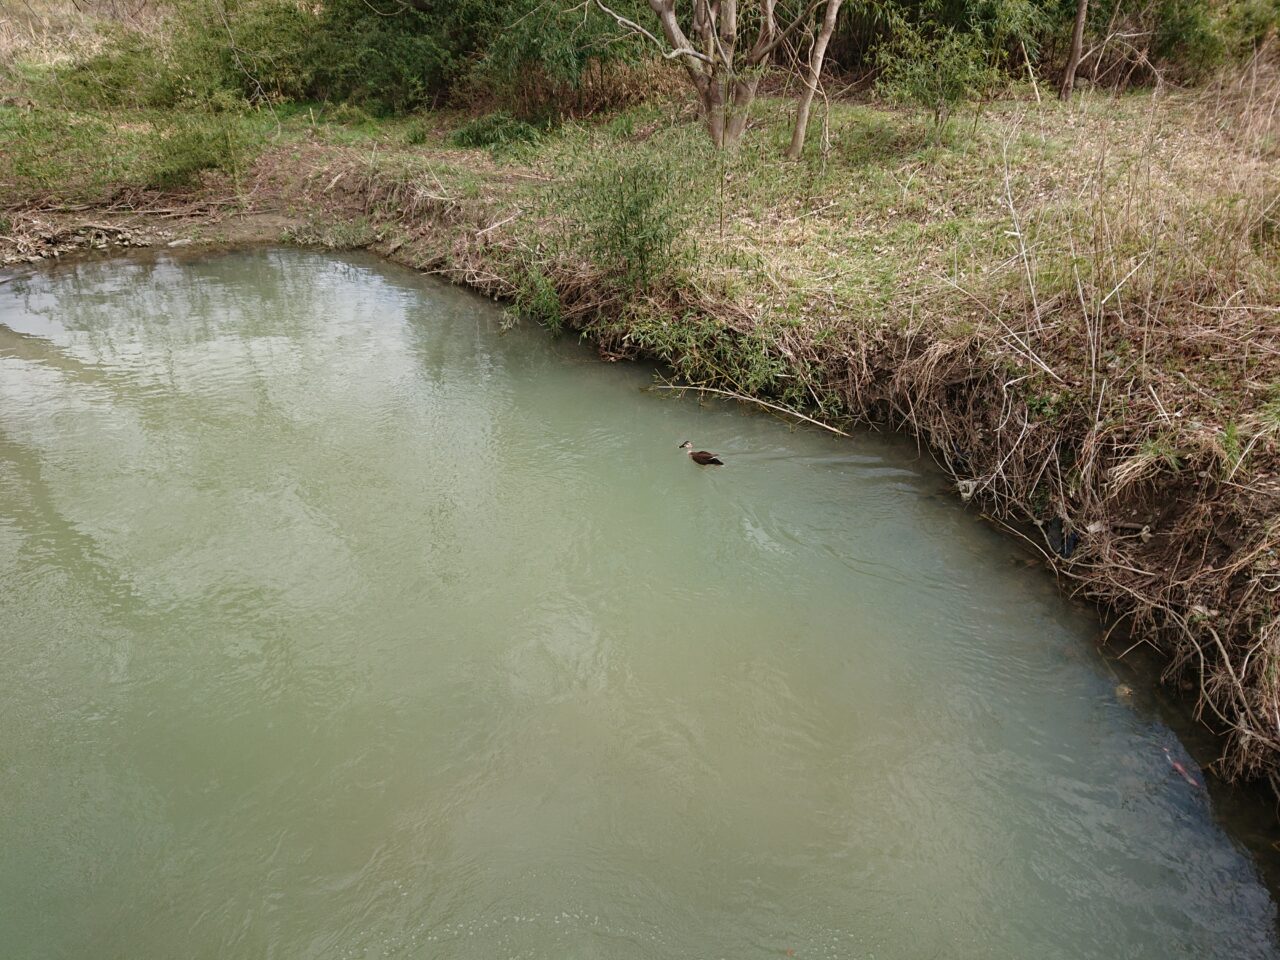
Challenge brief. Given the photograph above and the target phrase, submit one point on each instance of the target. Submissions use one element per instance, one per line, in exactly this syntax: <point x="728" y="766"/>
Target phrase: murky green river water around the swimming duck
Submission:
<point x="339" y="624"/>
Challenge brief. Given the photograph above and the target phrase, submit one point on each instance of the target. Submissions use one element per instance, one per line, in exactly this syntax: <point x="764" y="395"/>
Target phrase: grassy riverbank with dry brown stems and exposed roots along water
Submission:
<point x="1076" y="308"/>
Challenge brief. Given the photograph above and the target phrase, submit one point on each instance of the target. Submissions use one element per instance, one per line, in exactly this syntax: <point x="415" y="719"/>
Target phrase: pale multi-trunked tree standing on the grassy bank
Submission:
<point x="723" y="68"/>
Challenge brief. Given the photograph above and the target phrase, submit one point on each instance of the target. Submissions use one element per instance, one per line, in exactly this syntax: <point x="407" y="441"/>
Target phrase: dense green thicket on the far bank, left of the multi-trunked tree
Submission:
<point x="388" y="58"/>
